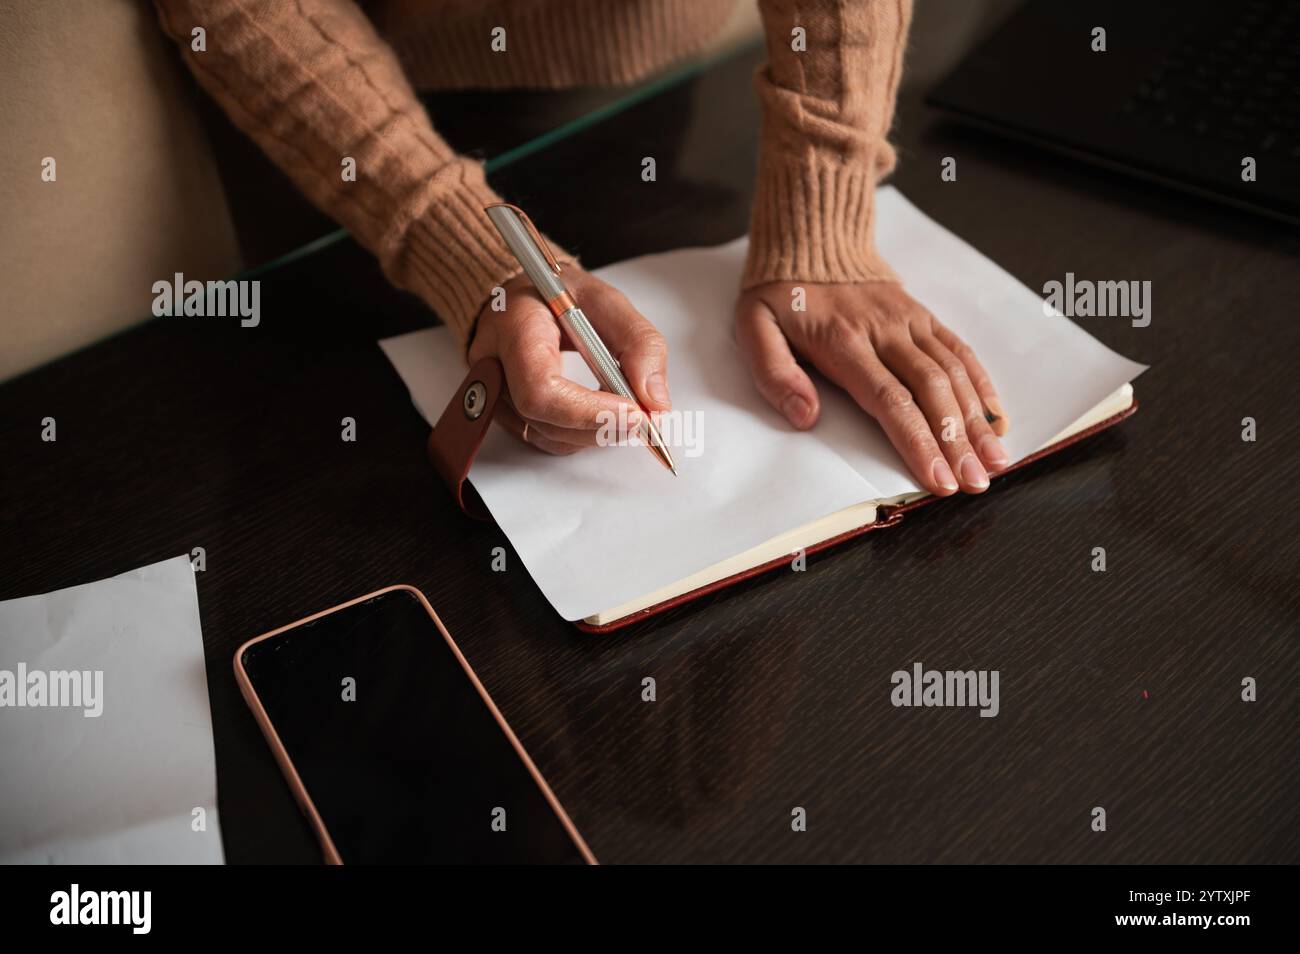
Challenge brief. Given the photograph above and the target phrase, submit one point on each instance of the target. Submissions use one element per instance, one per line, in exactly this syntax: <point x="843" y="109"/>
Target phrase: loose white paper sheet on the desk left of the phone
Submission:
<point x="122" y="787"/>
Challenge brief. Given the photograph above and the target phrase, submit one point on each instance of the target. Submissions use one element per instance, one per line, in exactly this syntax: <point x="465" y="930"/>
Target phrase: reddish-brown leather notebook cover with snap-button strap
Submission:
<point x="461" y="431"/>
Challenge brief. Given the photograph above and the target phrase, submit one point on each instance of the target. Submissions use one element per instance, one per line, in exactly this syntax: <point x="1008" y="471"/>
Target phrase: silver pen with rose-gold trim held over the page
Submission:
<point x="543" y="271"/>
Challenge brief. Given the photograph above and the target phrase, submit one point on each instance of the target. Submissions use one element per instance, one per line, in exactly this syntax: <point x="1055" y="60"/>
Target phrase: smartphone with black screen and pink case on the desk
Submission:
<point x="393" y="748"/>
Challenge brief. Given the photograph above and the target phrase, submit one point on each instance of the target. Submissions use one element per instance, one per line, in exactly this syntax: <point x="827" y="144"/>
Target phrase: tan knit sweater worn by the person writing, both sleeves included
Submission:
<point x="318" y="81"/>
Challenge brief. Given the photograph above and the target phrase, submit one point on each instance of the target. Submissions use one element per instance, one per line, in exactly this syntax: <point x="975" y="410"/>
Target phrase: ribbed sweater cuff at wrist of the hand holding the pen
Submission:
<point x="454" y="257"/>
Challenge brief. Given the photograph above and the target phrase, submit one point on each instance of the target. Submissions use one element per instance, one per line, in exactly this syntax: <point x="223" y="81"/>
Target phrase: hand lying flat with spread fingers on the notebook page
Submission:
<point x="916" y="378"/>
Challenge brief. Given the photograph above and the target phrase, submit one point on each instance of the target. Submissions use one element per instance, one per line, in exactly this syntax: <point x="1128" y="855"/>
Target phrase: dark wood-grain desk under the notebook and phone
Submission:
<point x="1119" y="690"/>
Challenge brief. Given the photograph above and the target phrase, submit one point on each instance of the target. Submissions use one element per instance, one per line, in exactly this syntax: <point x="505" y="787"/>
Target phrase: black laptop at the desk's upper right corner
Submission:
<point x="1184" y="93"/>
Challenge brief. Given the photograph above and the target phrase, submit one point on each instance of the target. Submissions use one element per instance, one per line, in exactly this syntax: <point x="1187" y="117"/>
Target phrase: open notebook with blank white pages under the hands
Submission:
<point x="609" y="534"/>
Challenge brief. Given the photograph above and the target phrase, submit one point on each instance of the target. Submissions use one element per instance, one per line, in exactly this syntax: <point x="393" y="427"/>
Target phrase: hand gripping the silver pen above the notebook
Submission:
<point x="564" y="417"/>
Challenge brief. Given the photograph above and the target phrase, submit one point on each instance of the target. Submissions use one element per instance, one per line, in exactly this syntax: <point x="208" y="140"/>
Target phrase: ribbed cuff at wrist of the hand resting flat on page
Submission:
<point x="814" y="222"/>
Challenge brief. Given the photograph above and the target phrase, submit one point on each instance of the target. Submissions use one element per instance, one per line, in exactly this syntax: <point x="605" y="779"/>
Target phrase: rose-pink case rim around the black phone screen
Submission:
<point x="291" y="771"/>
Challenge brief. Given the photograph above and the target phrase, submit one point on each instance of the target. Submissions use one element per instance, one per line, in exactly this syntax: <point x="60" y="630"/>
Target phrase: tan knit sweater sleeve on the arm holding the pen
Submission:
<point x="314" y="85"/>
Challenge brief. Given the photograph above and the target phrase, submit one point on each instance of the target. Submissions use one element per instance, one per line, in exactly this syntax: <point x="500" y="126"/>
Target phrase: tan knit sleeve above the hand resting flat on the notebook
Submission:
<point x="826" y="115"/>
